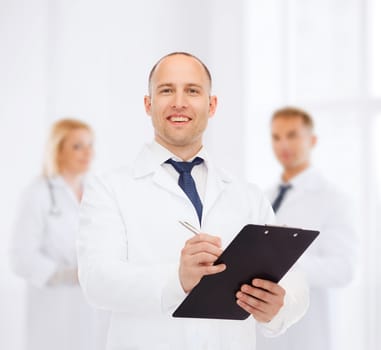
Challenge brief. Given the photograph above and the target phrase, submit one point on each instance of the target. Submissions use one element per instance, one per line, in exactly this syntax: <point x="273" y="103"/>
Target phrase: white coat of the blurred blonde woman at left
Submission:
<point x="58" y="317"/>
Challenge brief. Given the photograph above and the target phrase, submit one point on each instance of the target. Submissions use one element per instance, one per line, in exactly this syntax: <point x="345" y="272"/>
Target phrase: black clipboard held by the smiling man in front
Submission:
<point x="258" y="251"/>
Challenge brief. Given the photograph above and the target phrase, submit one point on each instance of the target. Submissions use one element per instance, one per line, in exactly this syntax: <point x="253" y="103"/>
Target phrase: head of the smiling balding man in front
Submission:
<point x="180" y="104"/>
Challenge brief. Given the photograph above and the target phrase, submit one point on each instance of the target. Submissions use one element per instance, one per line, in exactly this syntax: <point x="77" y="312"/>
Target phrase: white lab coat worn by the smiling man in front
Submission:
<point x="129" y="247"/>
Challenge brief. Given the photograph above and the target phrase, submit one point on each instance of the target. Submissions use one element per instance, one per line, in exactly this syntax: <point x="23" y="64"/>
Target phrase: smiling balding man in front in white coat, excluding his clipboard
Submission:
<point x="138" y="262"/>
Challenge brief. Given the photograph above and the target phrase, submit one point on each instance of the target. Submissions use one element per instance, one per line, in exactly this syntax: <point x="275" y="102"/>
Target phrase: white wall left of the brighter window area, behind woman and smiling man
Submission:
<point x="90" y="59"/>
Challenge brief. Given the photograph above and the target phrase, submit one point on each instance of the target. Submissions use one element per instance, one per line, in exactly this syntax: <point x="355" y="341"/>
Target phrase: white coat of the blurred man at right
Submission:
<point x="314" y="203"/>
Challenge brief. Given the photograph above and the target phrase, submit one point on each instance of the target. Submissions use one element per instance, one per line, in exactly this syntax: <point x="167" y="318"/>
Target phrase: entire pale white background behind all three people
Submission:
<point x="90" y="59"/>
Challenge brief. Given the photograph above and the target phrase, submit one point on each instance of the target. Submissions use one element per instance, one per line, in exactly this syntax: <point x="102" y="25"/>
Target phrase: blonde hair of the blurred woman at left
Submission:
<point x="56" y="138"/>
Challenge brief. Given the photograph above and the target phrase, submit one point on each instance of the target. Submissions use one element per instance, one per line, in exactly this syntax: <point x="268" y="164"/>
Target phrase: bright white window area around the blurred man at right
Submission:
<point x="317" y="55"/>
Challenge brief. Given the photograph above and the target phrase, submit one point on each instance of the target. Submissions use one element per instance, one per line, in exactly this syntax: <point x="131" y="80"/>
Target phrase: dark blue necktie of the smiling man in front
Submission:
<point x="187" y="183"/>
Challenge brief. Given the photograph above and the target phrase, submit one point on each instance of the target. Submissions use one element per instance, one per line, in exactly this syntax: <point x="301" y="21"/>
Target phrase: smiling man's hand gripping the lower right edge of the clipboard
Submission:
<point x="263" y="299"/>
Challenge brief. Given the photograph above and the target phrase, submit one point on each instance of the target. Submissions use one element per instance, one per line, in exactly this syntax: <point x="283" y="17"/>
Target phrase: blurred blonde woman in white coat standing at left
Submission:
<point x="43" y="248"/>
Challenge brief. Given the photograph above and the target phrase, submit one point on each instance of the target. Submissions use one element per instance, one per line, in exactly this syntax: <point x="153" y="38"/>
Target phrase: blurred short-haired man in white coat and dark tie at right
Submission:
<point x="304" y="198"/>
